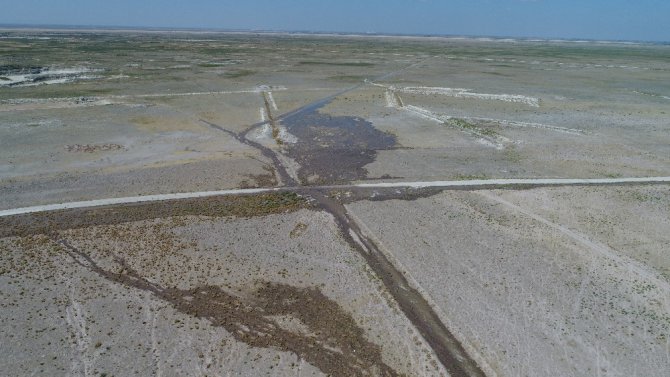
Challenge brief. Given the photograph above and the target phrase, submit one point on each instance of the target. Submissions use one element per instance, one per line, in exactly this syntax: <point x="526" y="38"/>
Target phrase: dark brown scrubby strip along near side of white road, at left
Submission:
<point x="217" y="206"/>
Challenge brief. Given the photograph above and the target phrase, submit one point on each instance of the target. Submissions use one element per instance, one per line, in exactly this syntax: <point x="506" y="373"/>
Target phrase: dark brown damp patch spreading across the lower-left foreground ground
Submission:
<point x="332" y="341"/>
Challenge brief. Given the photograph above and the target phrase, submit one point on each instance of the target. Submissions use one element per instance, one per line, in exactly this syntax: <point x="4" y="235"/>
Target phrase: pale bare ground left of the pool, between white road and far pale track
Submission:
<point x="160" y="149"/>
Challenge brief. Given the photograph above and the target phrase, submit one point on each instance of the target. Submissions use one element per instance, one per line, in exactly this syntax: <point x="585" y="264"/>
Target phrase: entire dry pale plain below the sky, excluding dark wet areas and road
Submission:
<point x="541" y="282"/>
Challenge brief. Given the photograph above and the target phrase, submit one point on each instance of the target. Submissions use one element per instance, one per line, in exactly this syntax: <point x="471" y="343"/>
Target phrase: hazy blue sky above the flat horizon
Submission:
<point x="595" y="19"/>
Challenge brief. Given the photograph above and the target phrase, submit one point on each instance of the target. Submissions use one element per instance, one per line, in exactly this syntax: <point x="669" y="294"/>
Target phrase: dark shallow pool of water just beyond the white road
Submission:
<point x="333" y="149"/>
